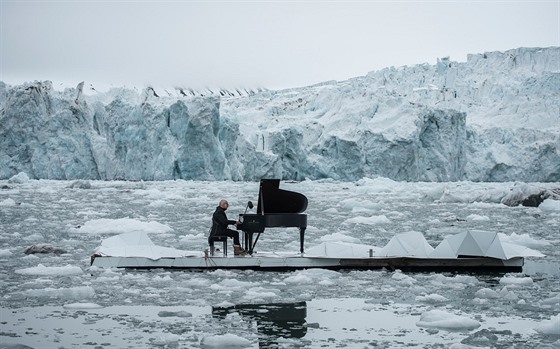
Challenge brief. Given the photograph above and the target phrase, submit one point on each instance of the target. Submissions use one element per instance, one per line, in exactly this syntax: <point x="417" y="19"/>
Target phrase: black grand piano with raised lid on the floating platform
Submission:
<point x="276" y="208"/>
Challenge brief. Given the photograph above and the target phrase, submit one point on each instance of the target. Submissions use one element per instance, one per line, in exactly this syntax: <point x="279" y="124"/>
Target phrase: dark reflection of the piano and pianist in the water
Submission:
<point x="274" y="320"/>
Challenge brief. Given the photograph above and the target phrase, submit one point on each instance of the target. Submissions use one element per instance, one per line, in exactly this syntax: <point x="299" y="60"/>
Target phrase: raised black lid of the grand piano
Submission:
<point x="272" y="199"/>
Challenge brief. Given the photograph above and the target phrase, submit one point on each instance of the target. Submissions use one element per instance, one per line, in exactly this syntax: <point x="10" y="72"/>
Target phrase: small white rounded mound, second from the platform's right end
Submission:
<point x="409" y="244"/>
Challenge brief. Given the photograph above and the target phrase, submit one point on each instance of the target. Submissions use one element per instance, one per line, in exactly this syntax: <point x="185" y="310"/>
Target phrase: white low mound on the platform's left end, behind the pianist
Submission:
<point x="137" y="244"/>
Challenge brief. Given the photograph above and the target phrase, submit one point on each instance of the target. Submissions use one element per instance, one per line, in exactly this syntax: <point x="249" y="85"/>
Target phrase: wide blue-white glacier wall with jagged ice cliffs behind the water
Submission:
<point x="495" y="117"/>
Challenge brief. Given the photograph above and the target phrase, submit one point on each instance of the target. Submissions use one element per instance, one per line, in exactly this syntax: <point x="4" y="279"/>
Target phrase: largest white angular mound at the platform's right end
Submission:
<point x="480" y="243"/>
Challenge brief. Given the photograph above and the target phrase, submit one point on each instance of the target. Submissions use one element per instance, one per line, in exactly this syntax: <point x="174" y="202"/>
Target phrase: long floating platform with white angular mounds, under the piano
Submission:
<point x="407" y="252"/>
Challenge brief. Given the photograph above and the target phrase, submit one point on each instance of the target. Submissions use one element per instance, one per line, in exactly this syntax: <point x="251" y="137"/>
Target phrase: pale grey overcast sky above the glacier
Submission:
<point x="272" y="44"/>
